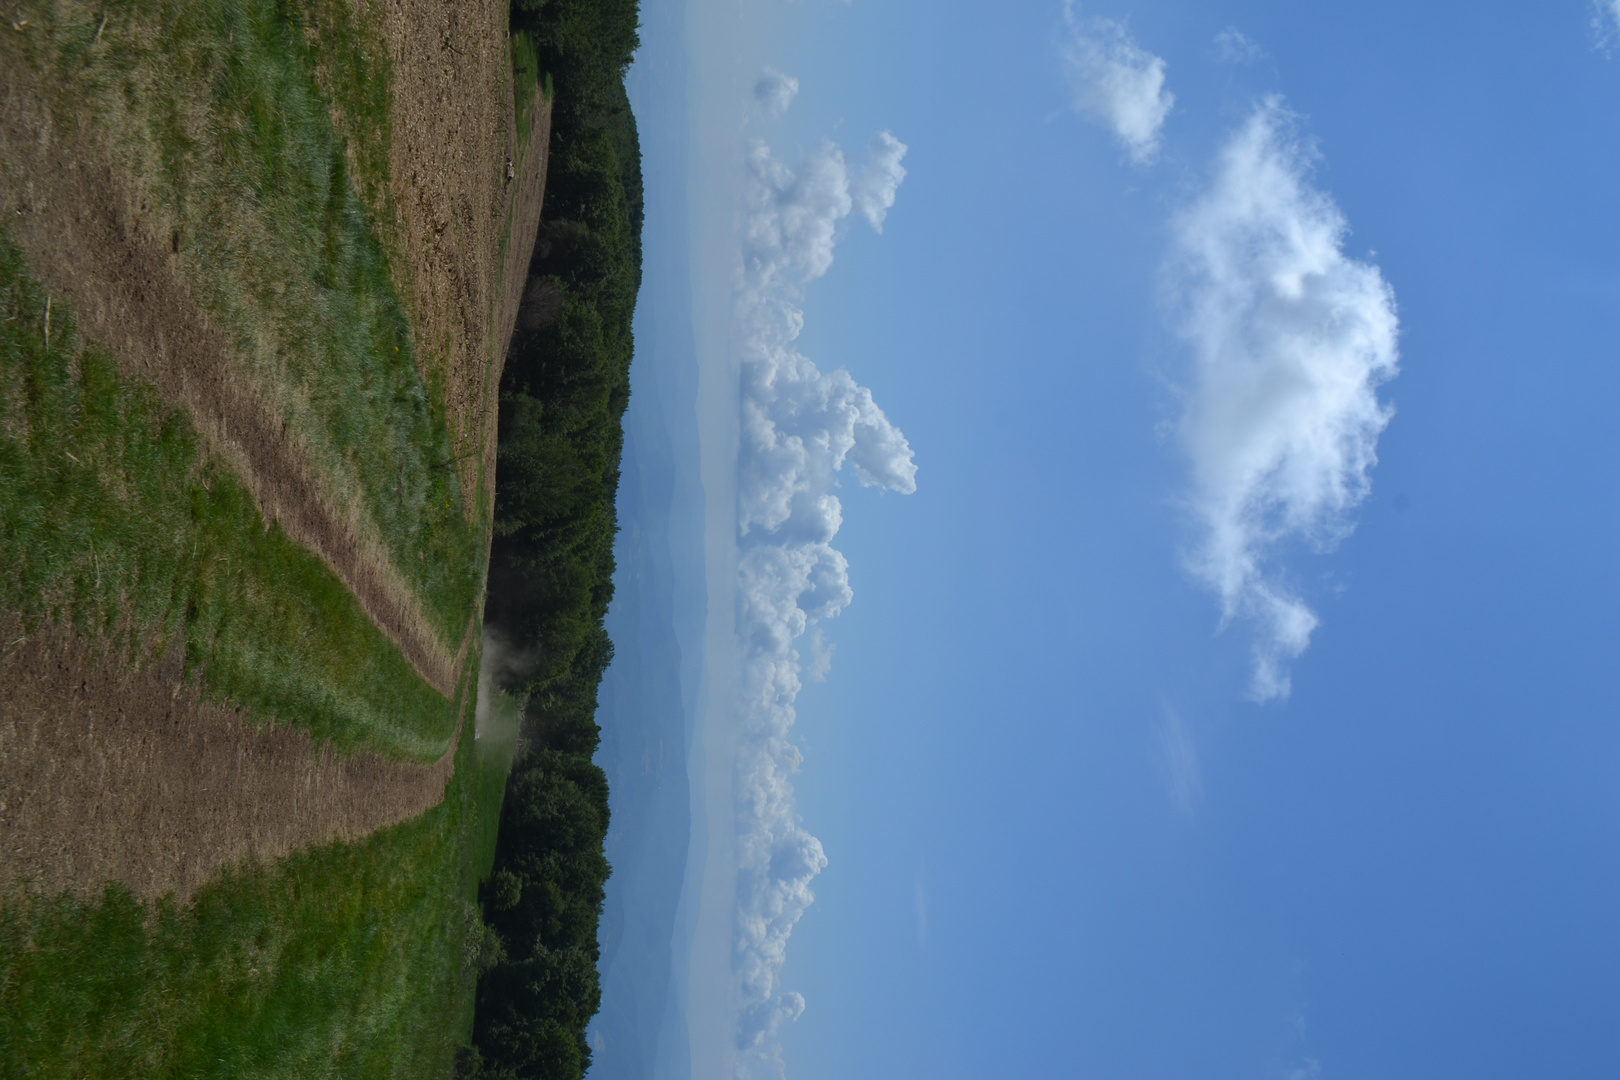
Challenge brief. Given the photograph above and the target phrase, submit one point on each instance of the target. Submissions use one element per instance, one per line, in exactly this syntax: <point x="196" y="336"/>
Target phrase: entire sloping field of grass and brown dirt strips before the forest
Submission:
<point x="258" y="268"/>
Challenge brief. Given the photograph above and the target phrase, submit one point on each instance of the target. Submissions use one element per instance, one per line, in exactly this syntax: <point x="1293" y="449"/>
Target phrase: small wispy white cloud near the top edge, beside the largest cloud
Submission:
<point x="1117" y="83"/>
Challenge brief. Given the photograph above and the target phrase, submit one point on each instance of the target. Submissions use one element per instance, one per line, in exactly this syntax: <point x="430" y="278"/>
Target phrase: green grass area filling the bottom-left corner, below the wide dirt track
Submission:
<point x="343" y="961"/>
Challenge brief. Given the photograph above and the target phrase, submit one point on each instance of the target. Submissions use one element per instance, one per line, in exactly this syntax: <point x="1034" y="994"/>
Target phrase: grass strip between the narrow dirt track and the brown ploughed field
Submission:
<point x="260" y="130"/>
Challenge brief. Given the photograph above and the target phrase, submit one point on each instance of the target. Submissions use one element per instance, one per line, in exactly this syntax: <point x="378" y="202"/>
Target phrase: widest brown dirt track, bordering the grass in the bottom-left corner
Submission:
<point x="109" y="775"/>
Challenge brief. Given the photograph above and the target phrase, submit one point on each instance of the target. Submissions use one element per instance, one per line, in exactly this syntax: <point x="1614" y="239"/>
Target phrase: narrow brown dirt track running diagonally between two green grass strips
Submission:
<point x="96" y="247"/>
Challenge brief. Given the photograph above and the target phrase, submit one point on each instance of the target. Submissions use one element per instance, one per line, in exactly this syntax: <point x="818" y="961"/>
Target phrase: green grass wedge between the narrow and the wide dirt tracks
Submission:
<point x="114" y="522"/>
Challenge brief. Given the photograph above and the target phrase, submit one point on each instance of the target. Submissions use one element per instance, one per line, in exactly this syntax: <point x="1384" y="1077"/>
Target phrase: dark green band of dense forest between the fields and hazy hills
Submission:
<point x="563" y="398"/>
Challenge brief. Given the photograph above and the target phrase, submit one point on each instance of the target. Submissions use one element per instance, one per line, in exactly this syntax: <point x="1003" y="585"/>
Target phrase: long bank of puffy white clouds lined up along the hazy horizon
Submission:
<point x="801" y="427"/>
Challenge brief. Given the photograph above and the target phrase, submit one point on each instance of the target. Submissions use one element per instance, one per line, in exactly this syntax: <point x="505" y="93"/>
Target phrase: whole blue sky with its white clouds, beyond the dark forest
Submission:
<point x="1088" y="806"/>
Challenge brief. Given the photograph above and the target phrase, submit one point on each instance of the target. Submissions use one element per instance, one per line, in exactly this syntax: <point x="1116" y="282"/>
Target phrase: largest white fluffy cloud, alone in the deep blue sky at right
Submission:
<point x="1290" y="341"/>
